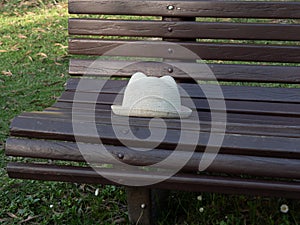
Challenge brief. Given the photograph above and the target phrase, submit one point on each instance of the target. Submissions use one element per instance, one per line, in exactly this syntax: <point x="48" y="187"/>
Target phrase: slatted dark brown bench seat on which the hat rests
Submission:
<point x="261" y="141"/>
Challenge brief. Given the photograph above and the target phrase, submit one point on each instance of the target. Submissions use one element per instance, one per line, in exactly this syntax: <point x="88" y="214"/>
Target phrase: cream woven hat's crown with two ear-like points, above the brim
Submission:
<point x="152" y="93"/>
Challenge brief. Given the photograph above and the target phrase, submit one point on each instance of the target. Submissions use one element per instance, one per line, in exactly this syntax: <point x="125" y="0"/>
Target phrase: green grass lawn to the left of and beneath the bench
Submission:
<point x="33" y="69"/>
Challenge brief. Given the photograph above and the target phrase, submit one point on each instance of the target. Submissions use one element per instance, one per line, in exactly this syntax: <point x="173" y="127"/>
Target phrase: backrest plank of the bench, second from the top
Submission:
<point x="183" y="29"/>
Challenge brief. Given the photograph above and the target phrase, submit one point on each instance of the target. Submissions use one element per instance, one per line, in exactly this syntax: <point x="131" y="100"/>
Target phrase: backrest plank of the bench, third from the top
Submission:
<point x="203" y="50"/>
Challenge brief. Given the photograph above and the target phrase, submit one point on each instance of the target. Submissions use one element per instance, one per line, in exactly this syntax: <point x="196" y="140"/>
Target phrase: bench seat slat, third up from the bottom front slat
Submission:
<point x="232" y="144"/>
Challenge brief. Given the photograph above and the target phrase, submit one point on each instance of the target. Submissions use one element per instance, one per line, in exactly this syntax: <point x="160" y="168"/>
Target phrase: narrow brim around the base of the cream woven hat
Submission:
<point x="123" y="111"/>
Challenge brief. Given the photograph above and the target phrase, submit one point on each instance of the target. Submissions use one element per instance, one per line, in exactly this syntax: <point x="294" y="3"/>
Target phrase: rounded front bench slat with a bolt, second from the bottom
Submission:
<point x="286" y="166"/>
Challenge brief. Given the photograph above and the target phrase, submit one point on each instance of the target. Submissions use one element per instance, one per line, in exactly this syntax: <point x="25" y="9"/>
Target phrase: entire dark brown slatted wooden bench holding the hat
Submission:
<point x="253" y="43"/>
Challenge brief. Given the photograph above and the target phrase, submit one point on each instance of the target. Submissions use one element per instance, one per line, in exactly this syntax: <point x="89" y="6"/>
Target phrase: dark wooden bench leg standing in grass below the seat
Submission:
<point x="144" y="205"/>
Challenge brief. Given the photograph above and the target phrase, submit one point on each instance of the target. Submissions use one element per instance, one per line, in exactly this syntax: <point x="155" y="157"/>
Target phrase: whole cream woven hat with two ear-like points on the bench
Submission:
<point x="151" y="97"/>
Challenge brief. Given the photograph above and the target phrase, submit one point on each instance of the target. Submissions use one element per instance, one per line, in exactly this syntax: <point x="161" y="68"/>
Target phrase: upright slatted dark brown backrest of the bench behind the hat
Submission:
<point x="223" y="33"/>
